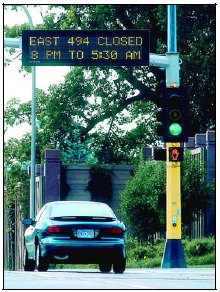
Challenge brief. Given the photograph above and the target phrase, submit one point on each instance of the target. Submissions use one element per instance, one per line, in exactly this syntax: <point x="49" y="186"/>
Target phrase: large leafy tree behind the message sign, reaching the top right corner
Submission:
<point x="119" y="95"/>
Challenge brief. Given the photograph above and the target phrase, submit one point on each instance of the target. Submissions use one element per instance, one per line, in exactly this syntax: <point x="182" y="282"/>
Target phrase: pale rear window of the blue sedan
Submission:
<point x="80" y="209"/>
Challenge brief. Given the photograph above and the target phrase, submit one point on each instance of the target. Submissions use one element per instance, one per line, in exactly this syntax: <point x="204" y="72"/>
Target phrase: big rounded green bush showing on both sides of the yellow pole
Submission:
<point x="144" y="197"/>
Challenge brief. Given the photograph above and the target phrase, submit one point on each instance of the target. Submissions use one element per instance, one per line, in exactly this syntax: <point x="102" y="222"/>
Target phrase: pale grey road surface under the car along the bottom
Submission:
<point x="189" y="278"/>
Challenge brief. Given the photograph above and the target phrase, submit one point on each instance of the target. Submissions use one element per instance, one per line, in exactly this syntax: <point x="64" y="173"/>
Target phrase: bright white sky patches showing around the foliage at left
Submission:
<point x="19" y="85"/>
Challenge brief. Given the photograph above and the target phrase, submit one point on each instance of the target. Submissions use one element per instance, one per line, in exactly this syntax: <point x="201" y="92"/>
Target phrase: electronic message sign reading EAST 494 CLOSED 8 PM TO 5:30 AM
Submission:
<point x="85" y="48"/>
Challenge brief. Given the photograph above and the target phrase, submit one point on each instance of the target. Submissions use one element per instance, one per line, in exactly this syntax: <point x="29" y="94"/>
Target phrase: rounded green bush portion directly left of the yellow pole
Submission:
<point x="141" y="199"/>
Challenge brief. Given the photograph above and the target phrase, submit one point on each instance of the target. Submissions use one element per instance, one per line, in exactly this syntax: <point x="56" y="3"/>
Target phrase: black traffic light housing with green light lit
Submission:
<point x="173" y="116"/>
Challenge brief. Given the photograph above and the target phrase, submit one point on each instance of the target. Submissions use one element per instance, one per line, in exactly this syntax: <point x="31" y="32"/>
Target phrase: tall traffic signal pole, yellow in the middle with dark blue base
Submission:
<point x="173" y="256"/>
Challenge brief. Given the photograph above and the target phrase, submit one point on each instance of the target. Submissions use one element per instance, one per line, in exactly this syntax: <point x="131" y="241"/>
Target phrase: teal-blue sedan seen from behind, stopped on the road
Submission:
<point x="77" y="232"/>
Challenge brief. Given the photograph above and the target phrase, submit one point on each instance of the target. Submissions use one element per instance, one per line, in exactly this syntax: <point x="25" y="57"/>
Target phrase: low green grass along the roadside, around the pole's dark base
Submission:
<point x="198" y="253"/>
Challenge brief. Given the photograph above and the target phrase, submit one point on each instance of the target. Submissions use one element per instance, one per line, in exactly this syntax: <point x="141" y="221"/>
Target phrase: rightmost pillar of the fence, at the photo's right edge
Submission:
<point x="210" y="215"/>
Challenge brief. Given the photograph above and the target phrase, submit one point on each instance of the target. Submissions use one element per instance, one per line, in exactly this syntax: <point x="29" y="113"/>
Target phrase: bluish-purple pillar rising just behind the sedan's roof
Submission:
<point x="52" y="171"/>
